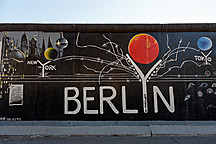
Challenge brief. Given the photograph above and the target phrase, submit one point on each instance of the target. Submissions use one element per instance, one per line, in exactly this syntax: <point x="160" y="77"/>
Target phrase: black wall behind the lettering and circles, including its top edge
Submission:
<point x="87" y="62"/>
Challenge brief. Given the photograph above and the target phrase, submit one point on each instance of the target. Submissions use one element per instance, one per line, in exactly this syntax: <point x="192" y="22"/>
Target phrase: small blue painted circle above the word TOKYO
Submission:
<point x="204" y="43"/>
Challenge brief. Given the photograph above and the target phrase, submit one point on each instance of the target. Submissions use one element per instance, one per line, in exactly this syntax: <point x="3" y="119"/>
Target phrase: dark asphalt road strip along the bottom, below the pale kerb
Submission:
<point x="108" y="140"/>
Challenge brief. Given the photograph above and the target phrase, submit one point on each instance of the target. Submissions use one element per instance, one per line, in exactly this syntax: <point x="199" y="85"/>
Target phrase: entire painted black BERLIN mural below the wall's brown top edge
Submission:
<point x="107" y="76"/>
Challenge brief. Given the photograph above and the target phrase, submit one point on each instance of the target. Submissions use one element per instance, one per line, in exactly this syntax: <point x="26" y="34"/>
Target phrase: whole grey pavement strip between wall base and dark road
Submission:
<point x="99" y="128"/>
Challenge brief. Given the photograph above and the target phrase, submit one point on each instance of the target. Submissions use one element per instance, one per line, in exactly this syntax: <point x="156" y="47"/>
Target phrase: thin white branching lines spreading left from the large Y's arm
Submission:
<point x="120" y="63"/>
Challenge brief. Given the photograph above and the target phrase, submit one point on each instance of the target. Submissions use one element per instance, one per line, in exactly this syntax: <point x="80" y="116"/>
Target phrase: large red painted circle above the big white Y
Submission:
<point x="143" y="48"/>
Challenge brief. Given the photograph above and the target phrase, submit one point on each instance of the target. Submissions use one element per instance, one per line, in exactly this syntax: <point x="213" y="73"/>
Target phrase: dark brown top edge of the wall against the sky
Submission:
<point x="193" y="27"/>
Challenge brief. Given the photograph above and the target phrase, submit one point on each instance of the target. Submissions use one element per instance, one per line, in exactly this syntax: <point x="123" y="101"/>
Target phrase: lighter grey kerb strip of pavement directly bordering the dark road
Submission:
<point x="143" y="131"/>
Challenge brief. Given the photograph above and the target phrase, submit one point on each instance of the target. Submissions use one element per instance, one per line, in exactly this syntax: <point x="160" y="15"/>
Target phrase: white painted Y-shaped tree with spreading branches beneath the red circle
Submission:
<point x="127" y="64"/>
